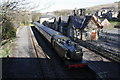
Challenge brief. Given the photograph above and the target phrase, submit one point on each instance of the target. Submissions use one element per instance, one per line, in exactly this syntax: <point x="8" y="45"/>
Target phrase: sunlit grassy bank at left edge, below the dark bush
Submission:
<point x="6" y="48"/>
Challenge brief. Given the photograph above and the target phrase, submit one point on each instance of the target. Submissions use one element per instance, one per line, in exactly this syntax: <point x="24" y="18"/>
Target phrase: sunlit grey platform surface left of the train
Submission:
<point x="23" y="44"/>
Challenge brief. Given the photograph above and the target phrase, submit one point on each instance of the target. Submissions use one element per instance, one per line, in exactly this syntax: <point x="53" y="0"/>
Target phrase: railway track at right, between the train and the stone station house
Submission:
<point x="100" y="49"/>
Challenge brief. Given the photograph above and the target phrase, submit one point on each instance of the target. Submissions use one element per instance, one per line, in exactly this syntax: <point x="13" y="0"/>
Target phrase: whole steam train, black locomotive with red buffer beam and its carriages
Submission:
<point x="66" y="49"/>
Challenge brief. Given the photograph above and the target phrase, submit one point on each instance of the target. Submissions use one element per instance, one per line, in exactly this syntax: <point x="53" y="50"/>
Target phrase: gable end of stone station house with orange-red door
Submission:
<point x="90" y="28"/>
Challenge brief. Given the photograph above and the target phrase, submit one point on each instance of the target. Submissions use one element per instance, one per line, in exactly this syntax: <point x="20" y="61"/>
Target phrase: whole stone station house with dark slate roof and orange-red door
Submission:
<point x="83" y="27"/>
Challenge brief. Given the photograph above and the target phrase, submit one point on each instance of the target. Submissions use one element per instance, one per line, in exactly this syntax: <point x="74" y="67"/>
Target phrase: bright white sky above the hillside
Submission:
<point x="66" y="4"/>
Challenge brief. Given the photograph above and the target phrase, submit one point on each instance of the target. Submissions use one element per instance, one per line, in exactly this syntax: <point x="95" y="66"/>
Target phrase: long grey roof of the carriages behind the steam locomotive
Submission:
<point x="46" y="29"/>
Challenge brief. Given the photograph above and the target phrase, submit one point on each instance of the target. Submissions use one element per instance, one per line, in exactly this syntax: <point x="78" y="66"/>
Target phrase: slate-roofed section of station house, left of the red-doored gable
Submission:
<point x="74" y="23"/>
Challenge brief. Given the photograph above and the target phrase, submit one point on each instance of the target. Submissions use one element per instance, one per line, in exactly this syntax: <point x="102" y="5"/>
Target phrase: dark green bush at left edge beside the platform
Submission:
<point x="8" y="30"/>
